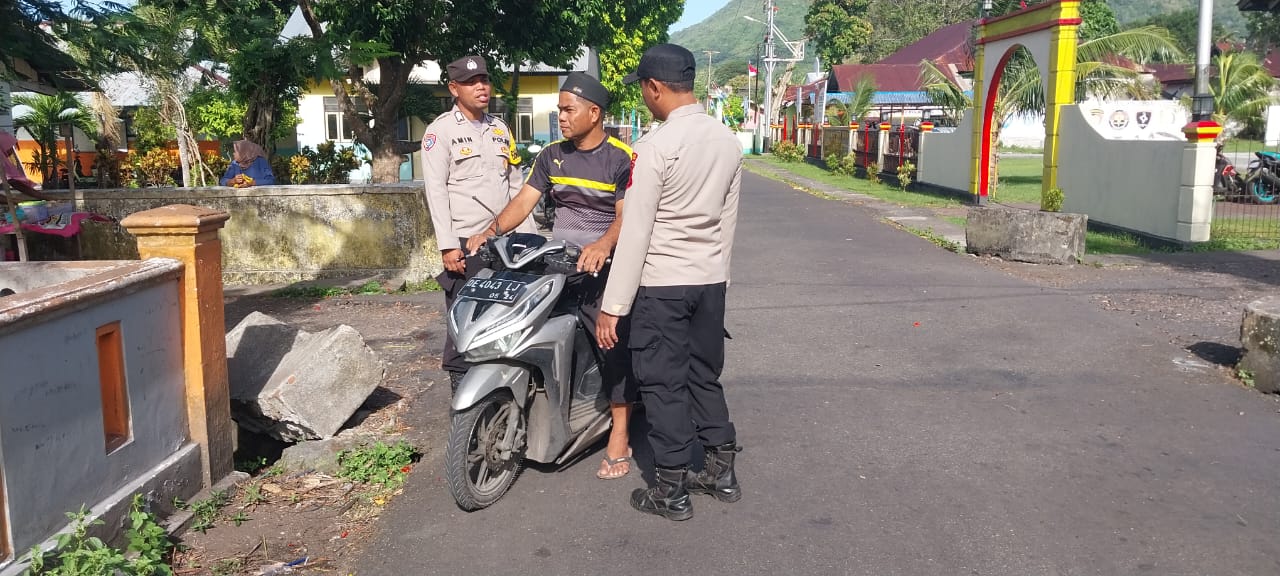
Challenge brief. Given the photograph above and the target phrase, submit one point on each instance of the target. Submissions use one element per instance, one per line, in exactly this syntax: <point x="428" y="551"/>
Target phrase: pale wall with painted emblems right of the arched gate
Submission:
<point x="1126" y="184"/>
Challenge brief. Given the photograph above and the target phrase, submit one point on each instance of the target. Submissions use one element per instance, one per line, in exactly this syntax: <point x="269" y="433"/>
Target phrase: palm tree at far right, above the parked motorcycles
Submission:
<point x="1242" y="88"/>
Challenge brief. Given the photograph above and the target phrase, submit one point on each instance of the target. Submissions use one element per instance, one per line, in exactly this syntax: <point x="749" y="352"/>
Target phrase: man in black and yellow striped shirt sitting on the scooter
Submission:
<point x="587" y="175"/>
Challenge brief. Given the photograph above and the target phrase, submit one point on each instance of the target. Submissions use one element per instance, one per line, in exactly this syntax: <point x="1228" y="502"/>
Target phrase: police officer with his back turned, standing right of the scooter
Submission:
<point x="670" y="275"/>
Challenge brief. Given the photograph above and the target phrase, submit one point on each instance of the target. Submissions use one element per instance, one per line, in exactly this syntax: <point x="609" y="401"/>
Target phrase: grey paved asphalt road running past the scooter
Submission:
<point x="906" y="412"/>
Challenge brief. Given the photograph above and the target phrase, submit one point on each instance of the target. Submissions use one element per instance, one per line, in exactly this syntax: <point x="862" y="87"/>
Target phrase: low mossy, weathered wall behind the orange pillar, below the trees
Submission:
<point x="289" y="234"/>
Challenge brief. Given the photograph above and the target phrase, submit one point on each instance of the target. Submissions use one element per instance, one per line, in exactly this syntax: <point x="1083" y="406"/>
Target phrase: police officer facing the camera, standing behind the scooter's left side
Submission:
<point x="470" y="172"/>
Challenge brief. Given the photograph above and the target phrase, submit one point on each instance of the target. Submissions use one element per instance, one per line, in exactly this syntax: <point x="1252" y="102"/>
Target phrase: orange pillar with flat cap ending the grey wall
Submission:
<point x="190" y="235"/>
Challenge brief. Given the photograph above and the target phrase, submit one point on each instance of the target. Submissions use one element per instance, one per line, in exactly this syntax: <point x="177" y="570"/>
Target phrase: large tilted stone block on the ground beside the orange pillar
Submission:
<point x="298" y="386"/>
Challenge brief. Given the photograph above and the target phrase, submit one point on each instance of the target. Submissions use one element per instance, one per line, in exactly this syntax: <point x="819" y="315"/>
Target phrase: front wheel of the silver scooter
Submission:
<point x="487" y="447"/>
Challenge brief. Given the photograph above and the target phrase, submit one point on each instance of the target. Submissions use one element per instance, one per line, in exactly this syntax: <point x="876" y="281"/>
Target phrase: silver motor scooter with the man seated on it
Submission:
<point x="534" y="390"/>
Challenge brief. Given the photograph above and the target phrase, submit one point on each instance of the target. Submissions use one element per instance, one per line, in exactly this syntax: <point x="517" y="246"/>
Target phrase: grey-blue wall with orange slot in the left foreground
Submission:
<point x="53" y="449"/>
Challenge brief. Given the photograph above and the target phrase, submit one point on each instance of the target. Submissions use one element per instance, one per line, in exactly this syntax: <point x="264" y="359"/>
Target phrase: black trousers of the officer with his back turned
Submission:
<point x="678" y="353"/>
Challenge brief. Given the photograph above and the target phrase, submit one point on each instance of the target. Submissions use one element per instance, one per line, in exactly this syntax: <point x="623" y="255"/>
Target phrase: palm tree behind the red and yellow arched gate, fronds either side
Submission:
<point x="1101" y="70"/>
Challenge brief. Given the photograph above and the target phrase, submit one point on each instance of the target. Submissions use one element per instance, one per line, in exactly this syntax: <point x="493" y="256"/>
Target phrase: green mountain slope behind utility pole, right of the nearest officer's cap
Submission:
<point x="737" y="38"/>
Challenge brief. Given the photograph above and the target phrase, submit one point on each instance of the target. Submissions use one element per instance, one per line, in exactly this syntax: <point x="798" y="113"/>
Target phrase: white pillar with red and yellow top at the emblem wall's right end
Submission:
<point x="1196" y="194"/>
